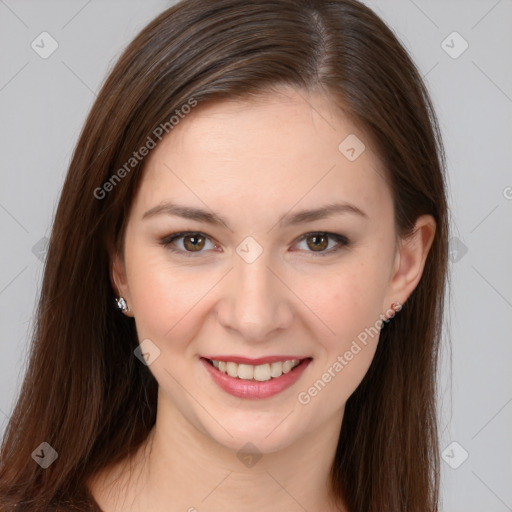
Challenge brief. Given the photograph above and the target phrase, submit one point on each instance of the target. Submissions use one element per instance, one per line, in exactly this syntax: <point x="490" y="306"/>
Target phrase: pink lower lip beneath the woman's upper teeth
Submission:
<point x="254" y="389"/>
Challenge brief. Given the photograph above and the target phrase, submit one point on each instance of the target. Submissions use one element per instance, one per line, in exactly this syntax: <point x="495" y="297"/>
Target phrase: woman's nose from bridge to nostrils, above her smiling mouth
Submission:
<point x="255" y="303"/>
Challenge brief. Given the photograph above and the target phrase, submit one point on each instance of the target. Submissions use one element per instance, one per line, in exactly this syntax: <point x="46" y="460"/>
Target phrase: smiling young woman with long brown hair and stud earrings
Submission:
<point x="243" y="295"/>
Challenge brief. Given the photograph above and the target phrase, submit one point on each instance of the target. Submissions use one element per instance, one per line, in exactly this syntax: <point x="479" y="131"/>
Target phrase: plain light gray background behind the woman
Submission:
<point x="44" y="102"/>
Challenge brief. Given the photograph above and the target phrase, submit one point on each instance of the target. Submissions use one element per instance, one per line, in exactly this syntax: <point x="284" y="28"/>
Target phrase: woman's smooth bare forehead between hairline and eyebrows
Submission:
<point x="271" y="150"/>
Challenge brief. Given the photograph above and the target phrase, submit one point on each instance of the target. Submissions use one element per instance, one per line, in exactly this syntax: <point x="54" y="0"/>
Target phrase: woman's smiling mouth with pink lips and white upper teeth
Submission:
<point x="267" y="378"/>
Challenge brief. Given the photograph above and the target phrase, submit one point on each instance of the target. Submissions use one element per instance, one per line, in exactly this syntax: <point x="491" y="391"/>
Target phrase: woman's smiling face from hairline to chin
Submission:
<point x="222" y="263"/>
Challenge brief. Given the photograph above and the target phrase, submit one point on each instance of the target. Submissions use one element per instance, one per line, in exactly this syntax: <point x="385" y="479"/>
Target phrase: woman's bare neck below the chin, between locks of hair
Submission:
<point x="185" y="467"/>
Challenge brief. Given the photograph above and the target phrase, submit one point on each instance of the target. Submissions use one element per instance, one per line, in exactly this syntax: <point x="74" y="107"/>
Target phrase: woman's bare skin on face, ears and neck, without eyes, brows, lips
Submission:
<point x="251" y="163"/>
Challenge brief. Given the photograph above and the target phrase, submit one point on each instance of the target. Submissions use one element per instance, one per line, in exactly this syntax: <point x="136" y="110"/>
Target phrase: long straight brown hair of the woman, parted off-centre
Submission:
<point x="85" y="393"/>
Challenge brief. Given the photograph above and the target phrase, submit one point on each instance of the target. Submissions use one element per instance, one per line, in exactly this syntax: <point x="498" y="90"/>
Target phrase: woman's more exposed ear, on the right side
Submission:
<point x="410" y="260"/>
